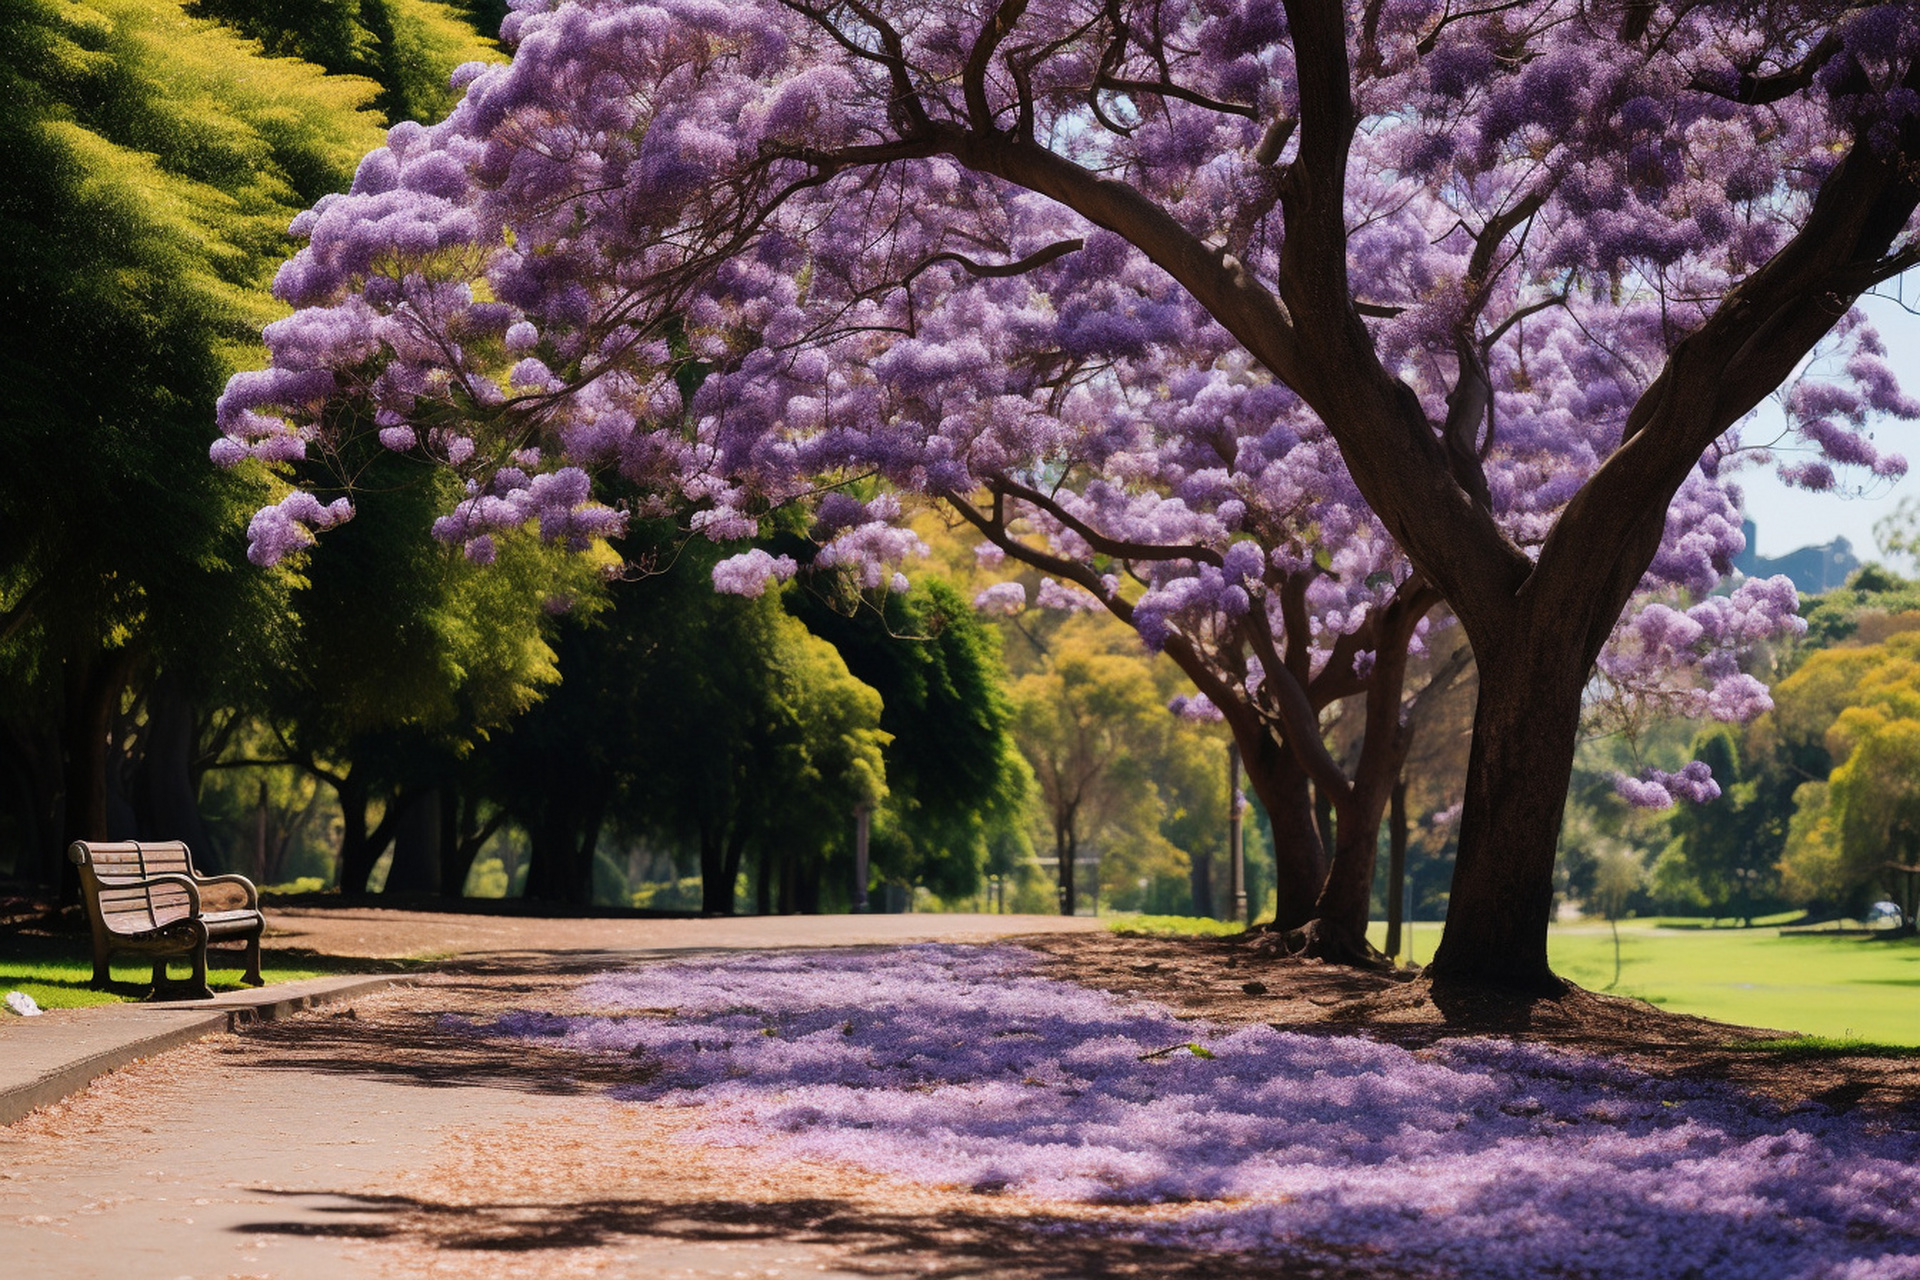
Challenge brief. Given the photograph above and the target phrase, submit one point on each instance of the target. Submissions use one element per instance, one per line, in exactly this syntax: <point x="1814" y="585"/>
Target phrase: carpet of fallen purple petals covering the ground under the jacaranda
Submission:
<point x="1481" y="1158"/>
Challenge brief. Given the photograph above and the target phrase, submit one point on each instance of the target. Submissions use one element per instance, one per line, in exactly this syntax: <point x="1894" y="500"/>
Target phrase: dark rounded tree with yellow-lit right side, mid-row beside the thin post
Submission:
<point x="708" y="723"/>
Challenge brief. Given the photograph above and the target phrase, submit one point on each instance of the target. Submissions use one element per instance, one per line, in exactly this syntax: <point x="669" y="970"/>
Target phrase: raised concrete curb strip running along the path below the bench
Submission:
<point x="49" y="1058"/>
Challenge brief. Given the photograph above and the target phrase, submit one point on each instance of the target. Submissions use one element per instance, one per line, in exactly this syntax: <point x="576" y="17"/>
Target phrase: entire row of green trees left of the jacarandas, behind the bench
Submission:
<point x="385" y="713"/>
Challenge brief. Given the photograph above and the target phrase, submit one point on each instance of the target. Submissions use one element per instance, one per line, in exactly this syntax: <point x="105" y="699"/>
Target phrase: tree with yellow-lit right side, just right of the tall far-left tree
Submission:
<point x="408" y="655"/>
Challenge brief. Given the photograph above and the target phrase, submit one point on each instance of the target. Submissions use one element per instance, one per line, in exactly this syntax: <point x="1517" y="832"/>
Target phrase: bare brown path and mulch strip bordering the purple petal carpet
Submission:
<point x="377" y="1143"/>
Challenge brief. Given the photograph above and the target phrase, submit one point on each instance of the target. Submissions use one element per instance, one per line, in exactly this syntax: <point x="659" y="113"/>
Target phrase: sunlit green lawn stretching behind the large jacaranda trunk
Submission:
<point x="1835" y="987"/>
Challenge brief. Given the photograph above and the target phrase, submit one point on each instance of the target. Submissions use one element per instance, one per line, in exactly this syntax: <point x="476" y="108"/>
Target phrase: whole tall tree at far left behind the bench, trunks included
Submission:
<point x="156" y="162"/>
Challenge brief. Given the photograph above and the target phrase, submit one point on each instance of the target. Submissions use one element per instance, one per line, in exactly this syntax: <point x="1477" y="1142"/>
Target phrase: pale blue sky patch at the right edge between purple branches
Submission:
<point x="1788" y="519"/>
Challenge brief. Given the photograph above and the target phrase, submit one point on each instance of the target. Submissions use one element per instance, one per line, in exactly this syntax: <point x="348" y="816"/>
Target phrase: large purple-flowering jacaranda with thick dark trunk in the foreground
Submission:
<point x="1201" y="293"/>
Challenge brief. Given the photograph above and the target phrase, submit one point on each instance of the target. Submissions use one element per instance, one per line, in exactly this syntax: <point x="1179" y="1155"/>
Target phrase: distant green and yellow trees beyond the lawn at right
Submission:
<point x="1821" y="797"/>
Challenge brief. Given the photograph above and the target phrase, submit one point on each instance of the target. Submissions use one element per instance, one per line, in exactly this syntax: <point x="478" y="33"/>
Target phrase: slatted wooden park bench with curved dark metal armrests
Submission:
<point x="145" y="897"/>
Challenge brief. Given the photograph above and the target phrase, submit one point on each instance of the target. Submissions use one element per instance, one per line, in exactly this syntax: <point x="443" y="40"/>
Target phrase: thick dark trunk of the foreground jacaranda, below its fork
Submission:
<point x="1524" y="742"/>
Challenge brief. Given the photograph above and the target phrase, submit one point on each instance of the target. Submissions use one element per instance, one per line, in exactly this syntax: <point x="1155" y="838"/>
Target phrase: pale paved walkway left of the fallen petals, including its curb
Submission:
<point x="362" y="1139"/>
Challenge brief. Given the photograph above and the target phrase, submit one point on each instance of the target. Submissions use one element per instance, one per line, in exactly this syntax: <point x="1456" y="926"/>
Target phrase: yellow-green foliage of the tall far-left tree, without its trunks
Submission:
<point x="155" y="164"/>
